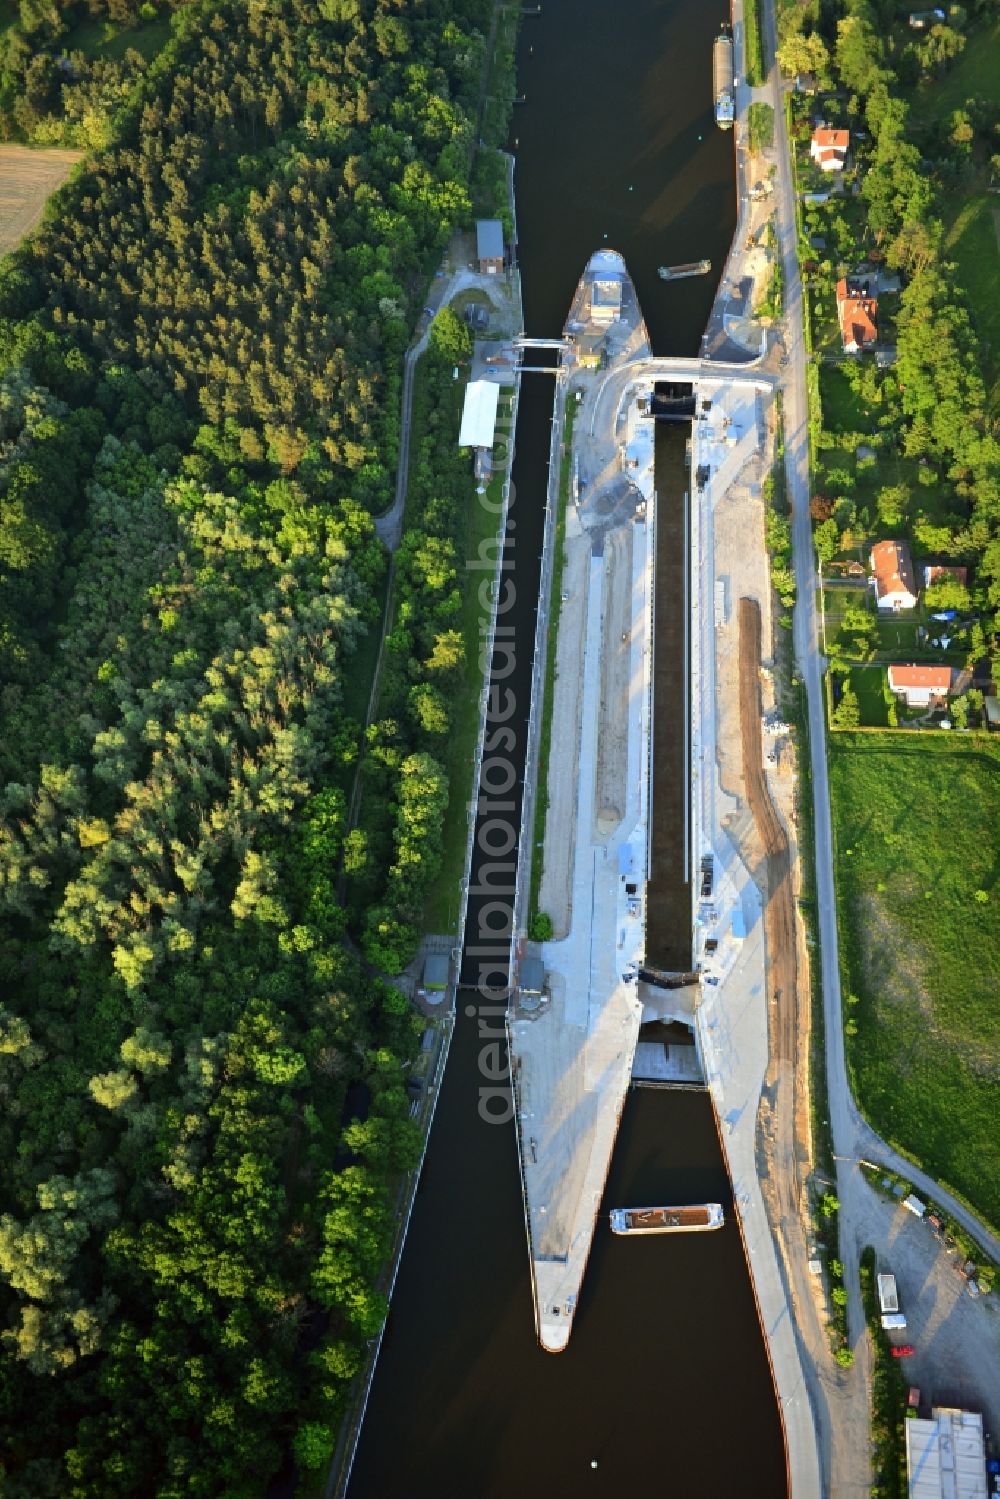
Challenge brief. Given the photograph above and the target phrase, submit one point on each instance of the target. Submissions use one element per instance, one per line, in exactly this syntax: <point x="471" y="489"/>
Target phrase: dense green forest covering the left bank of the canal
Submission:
<point x="200" y="370"/>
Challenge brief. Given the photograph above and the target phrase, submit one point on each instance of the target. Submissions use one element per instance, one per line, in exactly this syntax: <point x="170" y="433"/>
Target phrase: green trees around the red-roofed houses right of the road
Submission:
<point x="932" y="416"/>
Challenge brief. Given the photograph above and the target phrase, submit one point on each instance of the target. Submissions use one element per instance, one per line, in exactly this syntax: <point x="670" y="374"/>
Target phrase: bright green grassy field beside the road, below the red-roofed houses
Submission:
<point x="917" y="828"/>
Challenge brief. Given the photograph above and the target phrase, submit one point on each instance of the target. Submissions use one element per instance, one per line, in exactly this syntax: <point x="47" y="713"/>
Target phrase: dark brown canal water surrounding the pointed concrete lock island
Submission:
<point x="666" y="1383"/>
